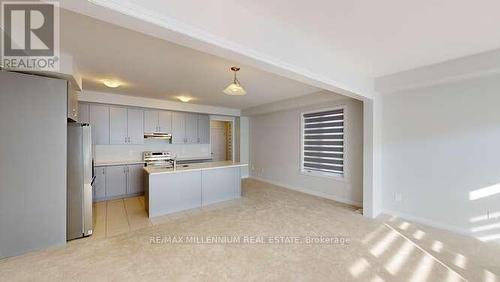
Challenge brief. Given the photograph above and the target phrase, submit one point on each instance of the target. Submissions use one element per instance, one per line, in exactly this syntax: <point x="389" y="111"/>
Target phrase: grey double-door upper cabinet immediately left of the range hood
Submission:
<point x="126" y="126"/>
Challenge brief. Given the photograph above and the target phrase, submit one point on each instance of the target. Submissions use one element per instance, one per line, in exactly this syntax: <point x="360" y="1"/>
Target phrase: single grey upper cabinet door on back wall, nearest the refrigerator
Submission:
<point x="99" y="120"/>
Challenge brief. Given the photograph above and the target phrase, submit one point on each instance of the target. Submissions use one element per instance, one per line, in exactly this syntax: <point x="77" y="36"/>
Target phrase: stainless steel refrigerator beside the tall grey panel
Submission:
<point x="79" y="178"/>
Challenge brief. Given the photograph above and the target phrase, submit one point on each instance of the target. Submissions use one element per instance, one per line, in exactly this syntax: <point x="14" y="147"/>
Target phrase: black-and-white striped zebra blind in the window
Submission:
<point x="323" y="142"/>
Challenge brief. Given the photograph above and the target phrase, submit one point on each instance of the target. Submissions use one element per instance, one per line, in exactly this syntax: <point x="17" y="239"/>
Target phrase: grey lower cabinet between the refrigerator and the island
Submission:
<point x="113" y="182"/>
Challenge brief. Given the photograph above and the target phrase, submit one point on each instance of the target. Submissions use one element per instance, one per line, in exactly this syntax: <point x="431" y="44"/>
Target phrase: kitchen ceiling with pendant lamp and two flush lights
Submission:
<point x="155" y="68"/>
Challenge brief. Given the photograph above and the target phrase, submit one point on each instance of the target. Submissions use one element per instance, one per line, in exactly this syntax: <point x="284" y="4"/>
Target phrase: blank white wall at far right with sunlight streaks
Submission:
<point x="439" y="145"/>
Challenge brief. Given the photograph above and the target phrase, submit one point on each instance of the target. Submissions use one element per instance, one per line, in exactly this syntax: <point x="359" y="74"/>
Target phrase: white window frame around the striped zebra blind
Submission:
<point x="332" y="175"/>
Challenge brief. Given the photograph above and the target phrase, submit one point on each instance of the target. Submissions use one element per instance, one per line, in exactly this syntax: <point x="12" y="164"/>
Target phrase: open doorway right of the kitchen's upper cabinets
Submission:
<point x="221" y="140"/>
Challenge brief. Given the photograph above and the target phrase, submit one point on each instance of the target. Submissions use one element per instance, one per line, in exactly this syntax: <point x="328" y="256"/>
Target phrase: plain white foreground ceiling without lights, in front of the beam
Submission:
<point x="347" y="42"/>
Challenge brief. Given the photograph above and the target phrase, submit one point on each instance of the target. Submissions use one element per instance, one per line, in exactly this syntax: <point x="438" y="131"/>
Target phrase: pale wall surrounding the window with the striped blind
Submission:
<point x="275" y="152"/>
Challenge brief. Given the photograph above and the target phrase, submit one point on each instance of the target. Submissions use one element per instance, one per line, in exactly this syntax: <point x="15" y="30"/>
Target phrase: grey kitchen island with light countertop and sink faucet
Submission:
<point x="190" y="186"/>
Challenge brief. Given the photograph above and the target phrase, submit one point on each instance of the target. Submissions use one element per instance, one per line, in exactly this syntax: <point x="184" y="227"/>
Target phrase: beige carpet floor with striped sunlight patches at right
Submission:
<point x="387" y="249"/>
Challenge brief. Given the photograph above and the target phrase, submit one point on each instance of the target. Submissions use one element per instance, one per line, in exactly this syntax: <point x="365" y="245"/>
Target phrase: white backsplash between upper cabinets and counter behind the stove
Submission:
<point x="134" y="152"/>
